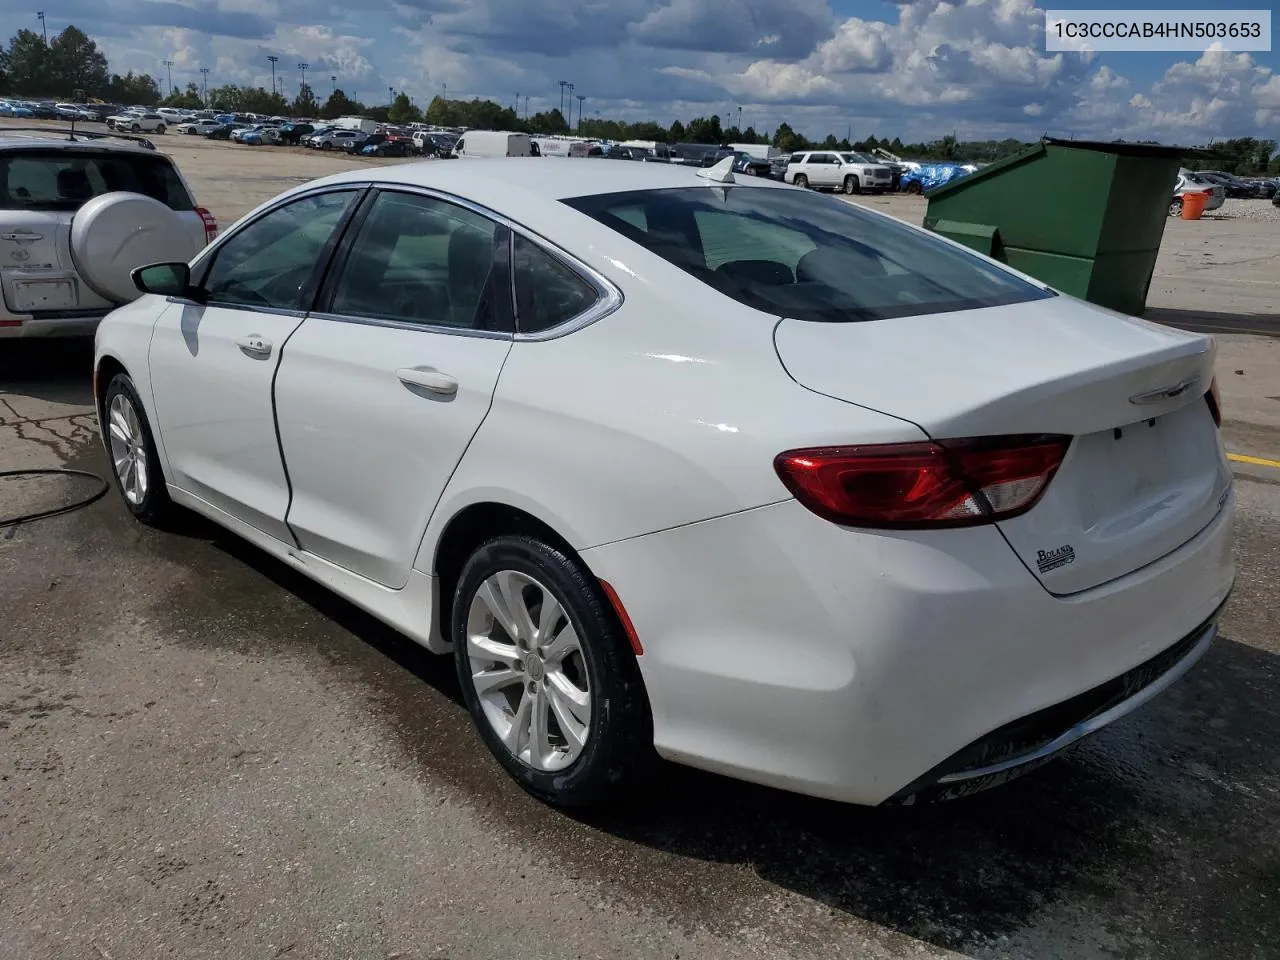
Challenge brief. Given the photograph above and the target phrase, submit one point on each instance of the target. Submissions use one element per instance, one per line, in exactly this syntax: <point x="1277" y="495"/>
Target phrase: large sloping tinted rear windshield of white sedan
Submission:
<point x="806" y="257"/>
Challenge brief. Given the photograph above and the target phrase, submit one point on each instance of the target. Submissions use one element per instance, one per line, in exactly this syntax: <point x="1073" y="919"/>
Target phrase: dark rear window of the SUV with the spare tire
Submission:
<point x="65" y="180"/>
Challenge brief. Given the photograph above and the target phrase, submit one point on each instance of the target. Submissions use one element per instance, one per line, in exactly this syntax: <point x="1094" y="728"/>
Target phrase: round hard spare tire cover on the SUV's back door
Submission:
<point x="116" y="234"/>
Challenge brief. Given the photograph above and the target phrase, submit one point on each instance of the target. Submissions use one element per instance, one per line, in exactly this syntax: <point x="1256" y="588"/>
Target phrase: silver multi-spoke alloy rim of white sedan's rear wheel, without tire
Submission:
<point x="529" y="671"/>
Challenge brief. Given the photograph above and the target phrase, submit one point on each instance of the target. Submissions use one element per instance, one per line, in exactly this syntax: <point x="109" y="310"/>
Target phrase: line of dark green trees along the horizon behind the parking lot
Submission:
<point x="71" y="67"/>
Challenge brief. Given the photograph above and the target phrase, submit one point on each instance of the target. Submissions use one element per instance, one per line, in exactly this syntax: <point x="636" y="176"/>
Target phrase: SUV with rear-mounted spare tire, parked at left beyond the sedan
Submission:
<point x="76" y="218"/>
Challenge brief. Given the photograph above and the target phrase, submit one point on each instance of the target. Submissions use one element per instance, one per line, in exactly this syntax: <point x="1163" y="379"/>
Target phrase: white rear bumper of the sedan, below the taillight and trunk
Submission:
<point x="854" y="665"/>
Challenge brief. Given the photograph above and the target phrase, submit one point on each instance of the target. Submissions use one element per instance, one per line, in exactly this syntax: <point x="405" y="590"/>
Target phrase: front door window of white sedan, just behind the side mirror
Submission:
<point x="269" y="263"/>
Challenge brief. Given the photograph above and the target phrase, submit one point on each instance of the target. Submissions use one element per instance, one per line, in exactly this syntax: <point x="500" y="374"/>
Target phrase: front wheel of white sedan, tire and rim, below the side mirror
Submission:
<point x="135" y="463"/>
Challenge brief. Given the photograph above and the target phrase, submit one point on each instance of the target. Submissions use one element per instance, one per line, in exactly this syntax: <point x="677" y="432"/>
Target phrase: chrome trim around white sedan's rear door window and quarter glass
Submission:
<point x="610" y="298"/>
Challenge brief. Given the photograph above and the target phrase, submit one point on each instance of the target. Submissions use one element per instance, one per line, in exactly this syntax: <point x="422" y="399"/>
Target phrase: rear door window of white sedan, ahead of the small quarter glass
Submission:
<point x="427" y="262"/>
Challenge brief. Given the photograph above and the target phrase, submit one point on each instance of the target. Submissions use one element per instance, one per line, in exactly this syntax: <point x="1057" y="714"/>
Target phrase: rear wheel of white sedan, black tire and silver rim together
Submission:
<point x="548" y="675"/>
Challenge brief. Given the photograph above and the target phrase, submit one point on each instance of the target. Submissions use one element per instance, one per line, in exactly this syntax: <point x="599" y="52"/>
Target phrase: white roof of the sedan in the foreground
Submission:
<point x="537" y="179"/>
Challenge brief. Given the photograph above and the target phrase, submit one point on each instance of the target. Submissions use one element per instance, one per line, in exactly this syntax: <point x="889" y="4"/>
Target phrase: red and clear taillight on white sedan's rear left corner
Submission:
<point x="932" y="484"/>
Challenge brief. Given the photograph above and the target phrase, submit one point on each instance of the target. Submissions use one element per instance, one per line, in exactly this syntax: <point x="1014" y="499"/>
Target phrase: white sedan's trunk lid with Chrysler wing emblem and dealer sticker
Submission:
<point x="1146" y="470"/>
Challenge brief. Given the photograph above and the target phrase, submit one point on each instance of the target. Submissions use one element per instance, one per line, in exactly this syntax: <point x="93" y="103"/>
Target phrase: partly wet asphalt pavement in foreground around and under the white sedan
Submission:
<point x="205" y="756"/>
